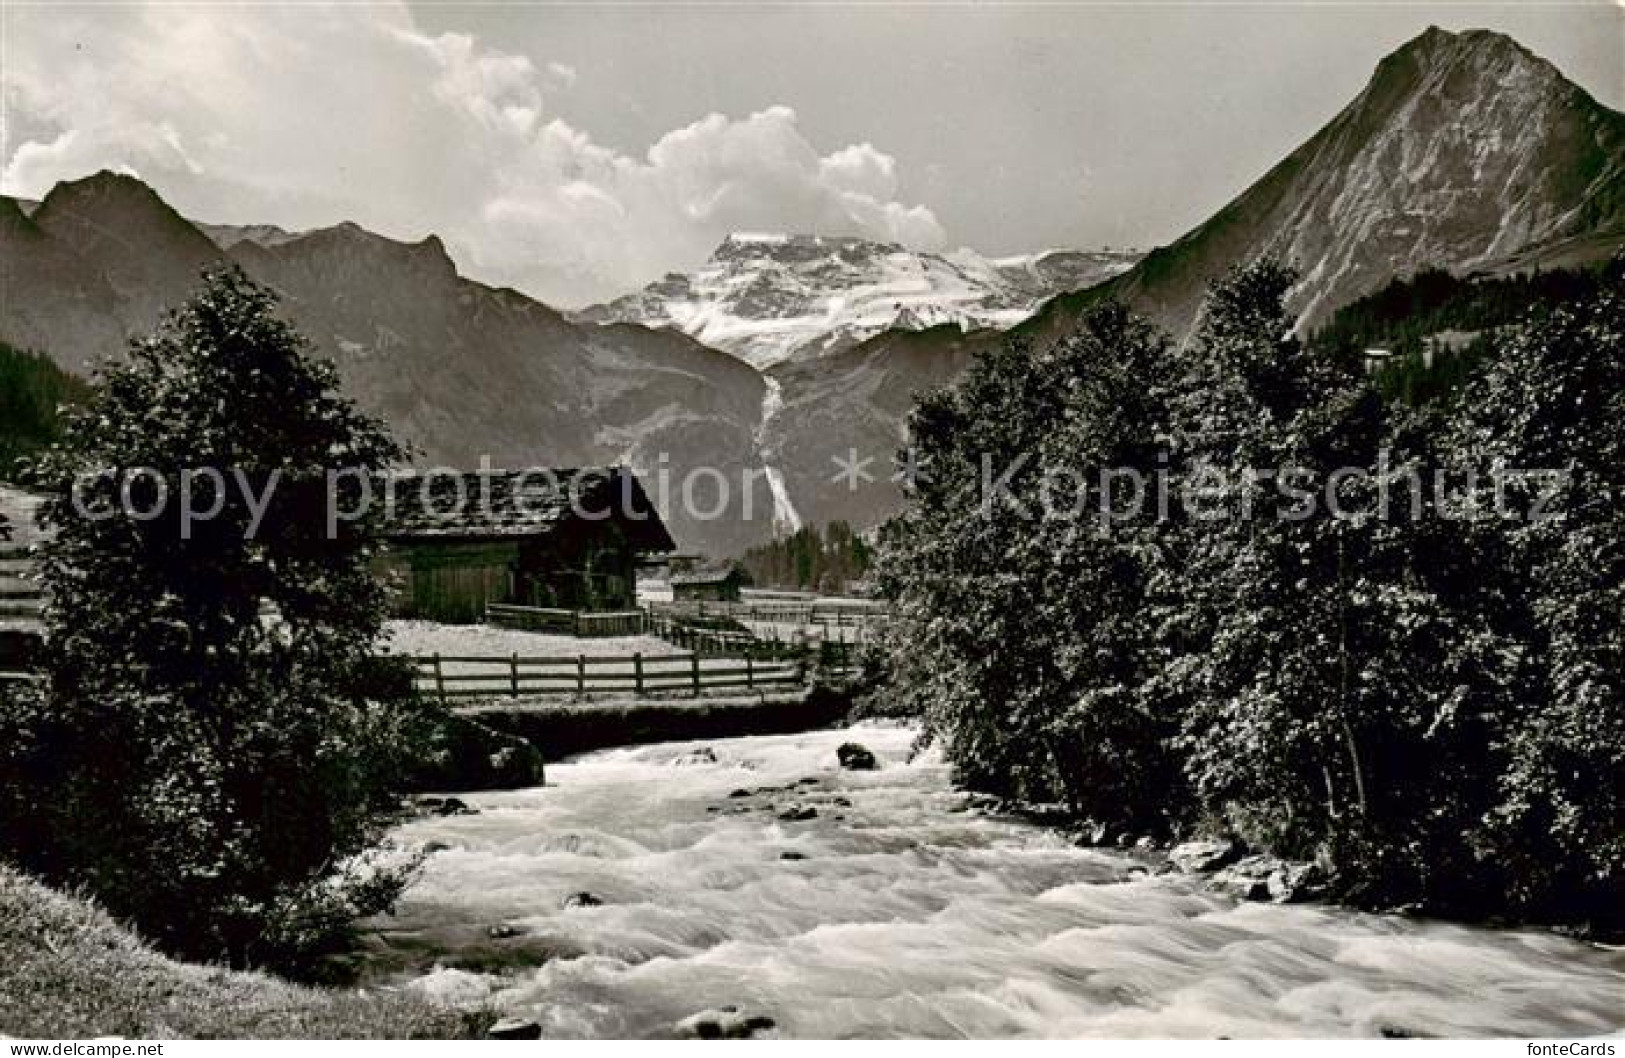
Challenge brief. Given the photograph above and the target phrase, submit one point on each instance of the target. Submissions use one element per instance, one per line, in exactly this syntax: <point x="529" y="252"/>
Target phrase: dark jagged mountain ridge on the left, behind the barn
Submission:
<point x="461" y="370"/>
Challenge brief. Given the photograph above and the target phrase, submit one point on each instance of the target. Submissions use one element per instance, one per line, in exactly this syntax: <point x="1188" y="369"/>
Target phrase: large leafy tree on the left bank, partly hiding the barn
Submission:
<point x="217" y="752"/>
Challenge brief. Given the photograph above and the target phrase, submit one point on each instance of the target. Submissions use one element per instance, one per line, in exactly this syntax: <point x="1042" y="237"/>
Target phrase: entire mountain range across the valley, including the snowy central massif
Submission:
<point x="789" y="353"/>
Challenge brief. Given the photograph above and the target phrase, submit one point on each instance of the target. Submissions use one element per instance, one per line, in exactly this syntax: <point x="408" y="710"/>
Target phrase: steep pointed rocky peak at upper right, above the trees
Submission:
<point x="1465" y="152"/>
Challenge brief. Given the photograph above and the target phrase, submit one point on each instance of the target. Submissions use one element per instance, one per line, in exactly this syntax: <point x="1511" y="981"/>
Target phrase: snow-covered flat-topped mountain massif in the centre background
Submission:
<point x="769" y="298"/>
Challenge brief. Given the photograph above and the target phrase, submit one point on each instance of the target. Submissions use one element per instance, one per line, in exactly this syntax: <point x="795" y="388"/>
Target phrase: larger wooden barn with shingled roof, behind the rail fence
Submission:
<point x="558" y="539"/>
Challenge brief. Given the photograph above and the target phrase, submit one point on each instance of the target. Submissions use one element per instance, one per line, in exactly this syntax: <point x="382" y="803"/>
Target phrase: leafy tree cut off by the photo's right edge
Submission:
<point x="1554" y="397"/>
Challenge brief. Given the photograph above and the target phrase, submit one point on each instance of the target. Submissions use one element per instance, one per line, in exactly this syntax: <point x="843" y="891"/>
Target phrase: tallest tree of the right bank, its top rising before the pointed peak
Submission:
<point x="1340" y="674"/>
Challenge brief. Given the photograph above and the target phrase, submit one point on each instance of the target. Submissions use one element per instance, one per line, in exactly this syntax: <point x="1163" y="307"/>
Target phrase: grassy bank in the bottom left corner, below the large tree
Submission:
<point x="67" y="971"/>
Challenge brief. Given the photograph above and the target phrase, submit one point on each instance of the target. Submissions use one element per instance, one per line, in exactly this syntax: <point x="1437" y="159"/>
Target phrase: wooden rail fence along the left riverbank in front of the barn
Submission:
<point x="516" y="677"/>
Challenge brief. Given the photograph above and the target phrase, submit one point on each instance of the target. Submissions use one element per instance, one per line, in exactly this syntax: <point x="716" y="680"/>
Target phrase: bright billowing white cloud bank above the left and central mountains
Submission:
<point x="308" y="116"/>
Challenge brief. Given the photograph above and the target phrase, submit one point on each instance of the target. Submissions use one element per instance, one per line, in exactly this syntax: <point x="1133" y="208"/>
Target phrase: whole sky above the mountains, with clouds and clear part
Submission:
<point x="581" y="150"/>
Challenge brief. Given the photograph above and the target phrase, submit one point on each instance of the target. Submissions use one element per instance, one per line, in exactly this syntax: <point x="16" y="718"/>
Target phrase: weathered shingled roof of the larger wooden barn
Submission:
<point x="505" y="505"/>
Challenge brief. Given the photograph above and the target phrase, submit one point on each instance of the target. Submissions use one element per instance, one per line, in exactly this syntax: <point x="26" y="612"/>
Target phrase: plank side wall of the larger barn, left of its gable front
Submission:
<point x="449" y="581"/>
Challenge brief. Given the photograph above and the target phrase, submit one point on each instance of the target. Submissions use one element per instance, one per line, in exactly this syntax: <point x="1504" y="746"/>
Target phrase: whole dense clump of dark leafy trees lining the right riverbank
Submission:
<point x="1354" y="656"/>
